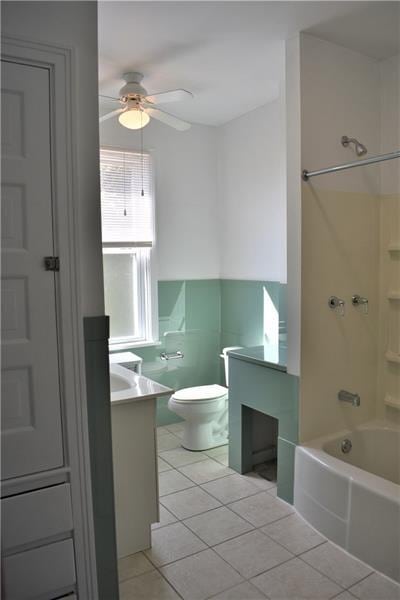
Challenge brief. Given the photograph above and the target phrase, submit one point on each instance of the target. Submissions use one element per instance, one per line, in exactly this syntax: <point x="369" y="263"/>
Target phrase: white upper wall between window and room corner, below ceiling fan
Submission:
<point x="186" y="195"/>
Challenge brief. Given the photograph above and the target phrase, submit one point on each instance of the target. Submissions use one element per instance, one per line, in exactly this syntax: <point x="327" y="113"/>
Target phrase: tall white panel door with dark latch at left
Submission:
<point x="30" y="410"/>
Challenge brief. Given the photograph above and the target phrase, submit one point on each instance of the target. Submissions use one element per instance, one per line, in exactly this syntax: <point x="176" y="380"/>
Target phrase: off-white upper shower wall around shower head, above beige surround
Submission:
<point x="339" y="96"/>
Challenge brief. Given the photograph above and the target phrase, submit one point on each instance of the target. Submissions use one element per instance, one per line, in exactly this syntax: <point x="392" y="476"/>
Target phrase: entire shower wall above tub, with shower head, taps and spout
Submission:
<point x="347" y="223"/>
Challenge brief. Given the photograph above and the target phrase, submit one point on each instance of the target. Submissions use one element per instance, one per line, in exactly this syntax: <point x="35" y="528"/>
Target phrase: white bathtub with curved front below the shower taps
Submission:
<point x="353" y="498"/>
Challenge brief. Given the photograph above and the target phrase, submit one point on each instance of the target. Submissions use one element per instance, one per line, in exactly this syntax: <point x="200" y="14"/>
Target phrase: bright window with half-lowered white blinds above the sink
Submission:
<point x="127" y="211"/>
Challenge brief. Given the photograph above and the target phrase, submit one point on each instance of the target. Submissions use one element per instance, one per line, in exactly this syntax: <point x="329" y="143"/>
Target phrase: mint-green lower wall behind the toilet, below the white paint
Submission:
<point x="200" y="317"/>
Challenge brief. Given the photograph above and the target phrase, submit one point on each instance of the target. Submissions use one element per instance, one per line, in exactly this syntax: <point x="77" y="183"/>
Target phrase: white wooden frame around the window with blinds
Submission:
<point x="147" y="274"/>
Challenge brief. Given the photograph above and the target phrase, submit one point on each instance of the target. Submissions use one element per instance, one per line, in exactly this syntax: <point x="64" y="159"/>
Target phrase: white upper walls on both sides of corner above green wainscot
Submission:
<point x="220" y="195"/>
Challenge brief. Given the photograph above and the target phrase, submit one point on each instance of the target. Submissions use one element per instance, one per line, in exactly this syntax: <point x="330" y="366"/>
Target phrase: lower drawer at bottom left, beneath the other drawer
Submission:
<point x="39" y="572"/>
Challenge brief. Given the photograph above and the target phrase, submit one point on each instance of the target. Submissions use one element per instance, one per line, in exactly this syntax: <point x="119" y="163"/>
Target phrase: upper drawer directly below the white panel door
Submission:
<point x="35" y="516"/>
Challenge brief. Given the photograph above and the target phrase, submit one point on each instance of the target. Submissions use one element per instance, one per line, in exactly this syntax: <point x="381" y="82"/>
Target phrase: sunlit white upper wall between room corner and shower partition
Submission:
<point x="252" y="195"/>
